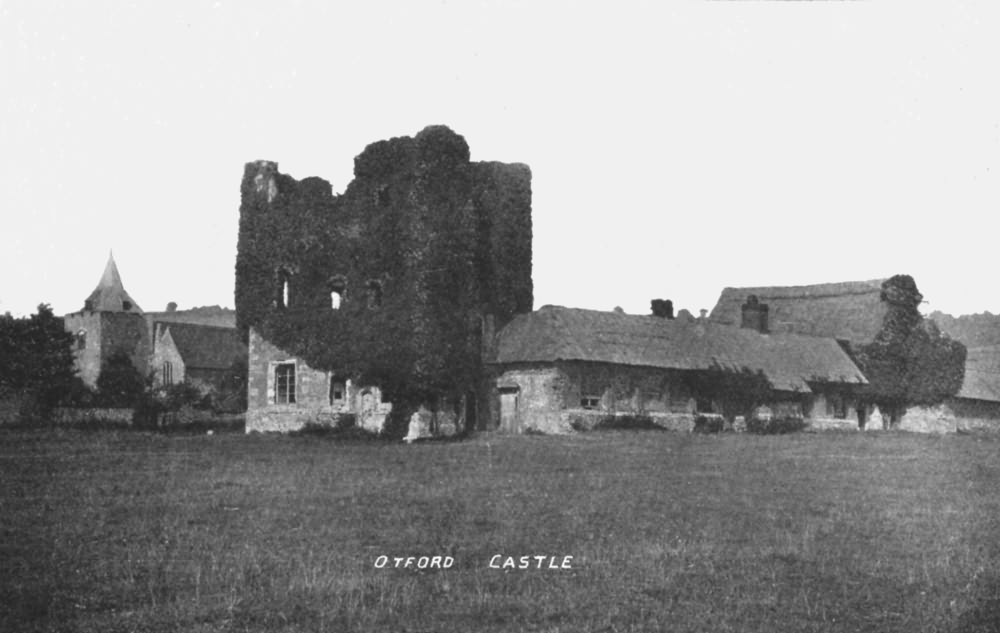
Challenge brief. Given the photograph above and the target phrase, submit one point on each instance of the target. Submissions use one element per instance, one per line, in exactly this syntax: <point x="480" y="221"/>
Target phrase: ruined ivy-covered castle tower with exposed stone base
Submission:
<point x="384" y="291"/>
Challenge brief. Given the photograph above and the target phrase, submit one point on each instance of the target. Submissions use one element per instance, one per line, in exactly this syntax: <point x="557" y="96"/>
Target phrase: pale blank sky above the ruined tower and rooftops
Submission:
<point x="676" y="148"/>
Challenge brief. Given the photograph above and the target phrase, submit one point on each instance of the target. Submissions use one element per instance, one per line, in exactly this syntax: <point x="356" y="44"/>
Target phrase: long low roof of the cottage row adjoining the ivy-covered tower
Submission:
<point x="555" y="333"/>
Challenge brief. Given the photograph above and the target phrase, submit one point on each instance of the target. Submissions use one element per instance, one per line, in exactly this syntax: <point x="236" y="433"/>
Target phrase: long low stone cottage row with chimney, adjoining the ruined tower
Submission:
<point x="562" y="368"/>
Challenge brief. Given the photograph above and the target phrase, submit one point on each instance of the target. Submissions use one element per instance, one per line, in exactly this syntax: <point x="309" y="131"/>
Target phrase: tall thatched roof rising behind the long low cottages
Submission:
<point x="849" y="310"/>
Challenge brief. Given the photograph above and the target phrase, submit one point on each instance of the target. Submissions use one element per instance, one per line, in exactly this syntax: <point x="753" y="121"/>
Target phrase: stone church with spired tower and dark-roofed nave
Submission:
<point x="200" y="346"/>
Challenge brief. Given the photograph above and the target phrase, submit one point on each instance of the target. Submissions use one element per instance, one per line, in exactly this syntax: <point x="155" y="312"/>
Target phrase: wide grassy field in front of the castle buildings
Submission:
<point x="126" y="531"/>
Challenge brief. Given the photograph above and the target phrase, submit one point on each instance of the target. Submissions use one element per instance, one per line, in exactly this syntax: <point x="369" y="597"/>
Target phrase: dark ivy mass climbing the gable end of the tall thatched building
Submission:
<point x="909" y="362"/>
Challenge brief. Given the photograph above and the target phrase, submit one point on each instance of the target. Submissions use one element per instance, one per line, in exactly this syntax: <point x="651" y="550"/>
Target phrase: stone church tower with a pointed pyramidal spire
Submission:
<point x="110" y="322"/>
